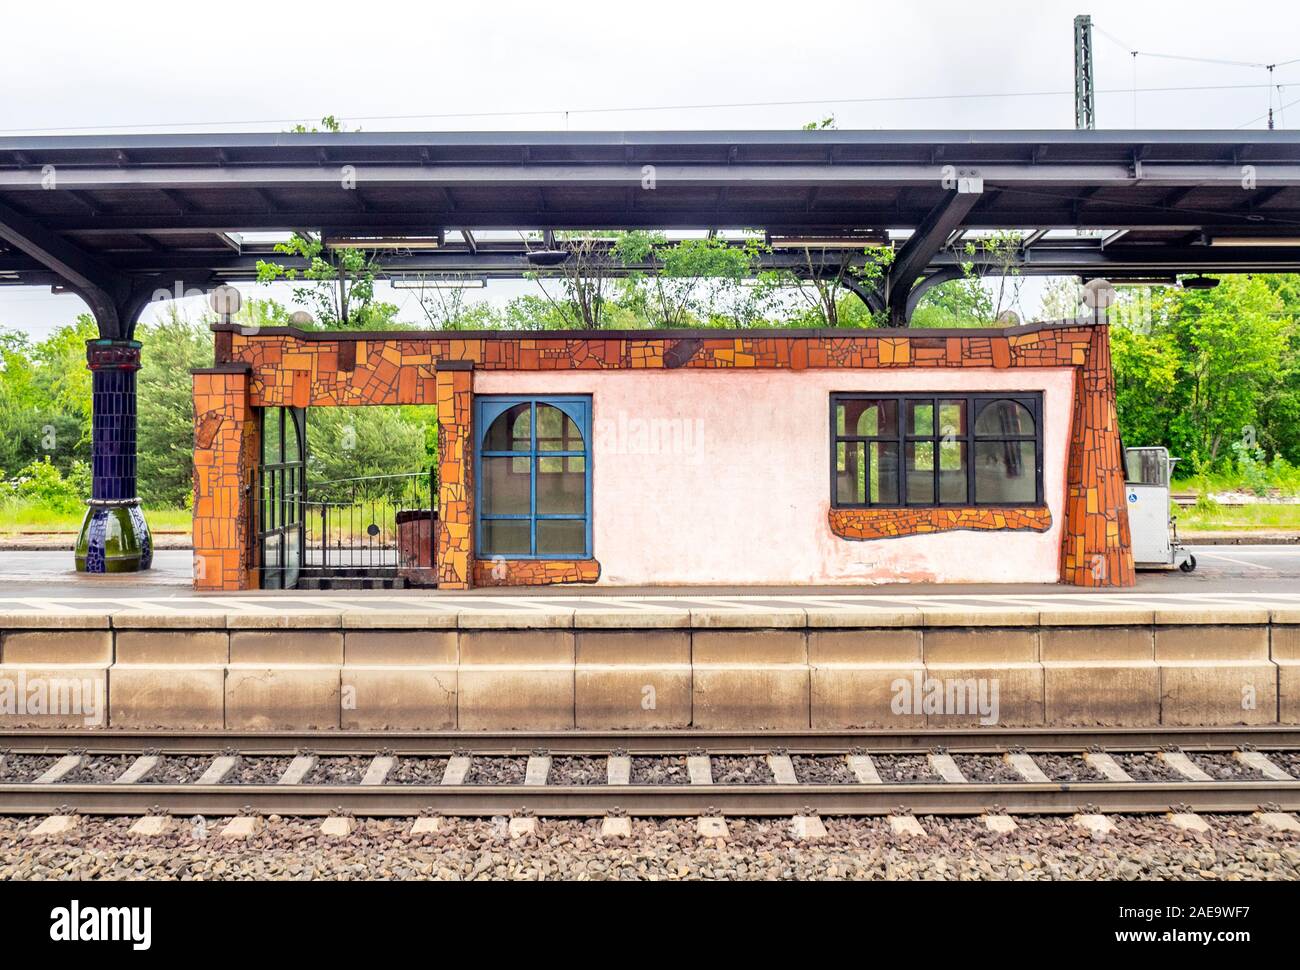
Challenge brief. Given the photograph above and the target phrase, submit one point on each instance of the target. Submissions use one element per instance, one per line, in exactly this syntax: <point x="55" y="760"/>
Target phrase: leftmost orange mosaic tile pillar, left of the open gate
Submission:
<point x="226" y="452"/>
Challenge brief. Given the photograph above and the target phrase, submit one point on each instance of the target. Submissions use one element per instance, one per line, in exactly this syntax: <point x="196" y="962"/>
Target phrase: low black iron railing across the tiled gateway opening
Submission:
<point x="354" y="523"/>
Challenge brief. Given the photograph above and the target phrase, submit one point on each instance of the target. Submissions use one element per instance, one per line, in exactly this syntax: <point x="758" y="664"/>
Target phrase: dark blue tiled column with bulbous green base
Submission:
<point x="114" y="536"/>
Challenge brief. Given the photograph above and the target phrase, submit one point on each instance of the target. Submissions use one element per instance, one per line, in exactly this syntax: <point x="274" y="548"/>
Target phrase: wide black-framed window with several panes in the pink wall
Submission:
<point x="935" y="449"/>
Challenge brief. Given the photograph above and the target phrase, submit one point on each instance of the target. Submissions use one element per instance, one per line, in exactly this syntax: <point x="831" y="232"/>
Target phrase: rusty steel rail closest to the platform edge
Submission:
<point x="970" y="741"/>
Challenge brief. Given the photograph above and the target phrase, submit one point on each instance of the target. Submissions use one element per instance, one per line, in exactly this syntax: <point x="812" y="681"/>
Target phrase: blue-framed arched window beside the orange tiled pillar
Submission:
<point x="534" y="478"/>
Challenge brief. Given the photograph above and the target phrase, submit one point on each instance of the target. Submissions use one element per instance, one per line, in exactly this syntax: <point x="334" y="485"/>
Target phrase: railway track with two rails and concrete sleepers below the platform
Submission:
<point x="683" y="774"/>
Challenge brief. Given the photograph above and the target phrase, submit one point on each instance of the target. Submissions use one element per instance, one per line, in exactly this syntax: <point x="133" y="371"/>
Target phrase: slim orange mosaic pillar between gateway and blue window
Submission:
<point x="456" y="475"/>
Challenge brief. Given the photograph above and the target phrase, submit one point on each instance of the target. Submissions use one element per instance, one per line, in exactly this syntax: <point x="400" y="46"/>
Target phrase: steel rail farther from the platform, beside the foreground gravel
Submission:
<point x="683" y="800"/>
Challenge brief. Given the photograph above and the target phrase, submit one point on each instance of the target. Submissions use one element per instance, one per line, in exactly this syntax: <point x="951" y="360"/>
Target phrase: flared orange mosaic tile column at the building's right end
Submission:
<point x="1097" y="548"/>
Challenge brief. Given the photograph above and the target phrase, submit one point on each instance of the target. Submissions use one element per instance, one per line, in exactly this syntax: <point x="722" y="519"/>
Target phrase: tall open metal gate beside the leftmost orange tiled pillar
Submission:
<point x="279" y="493"/>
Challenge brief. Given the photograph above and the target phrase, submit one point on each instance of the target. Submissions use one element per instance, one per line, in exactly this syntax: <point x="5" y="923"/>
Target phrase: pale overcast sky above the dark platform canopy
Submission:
<point x="196" y="67"/>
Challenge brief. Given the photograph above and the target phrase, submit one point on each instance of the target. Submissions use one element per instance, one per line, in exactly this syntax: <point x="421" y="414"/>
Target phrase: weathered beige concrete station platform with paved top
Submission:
<point x="655" y="660"/>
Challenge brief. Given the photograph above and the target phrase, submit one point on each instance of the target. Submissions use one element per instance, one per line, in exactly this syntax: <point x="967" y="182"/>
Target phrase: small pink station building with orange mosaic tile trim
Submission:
<point x="681" y="458"/>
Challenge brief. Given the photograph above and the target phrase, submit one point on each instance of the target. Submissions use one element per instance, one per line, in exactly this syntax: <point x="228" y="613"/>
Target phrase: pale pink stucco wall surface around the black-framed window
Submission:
<point x="723" y="477"/>
